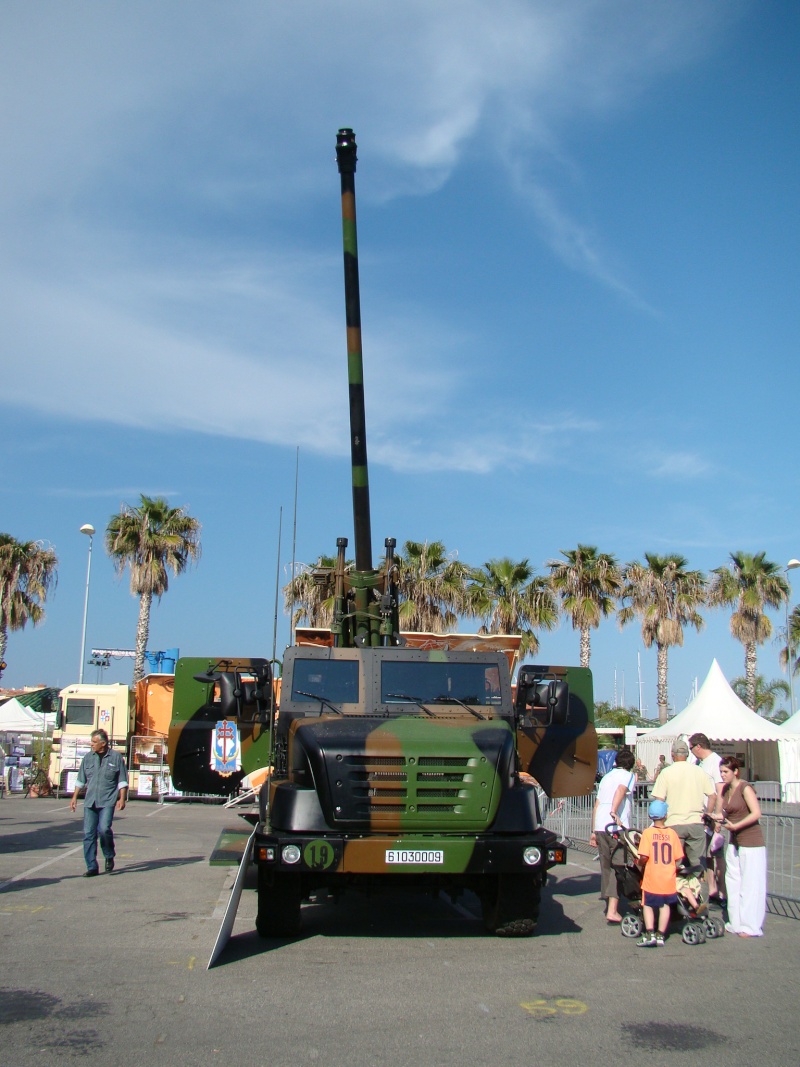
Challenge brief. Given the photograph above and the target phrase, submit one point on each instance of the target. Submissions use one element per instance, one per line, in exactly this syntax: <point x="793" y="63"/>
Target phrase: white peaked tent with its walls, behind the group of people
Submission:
<point x="772" y="753"/>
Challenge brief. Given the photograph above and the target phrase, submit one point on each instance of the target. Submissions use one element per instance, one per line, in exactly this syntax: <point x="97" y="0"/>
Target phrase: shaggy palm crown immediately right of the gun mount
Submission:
<point x="431" y="587"/>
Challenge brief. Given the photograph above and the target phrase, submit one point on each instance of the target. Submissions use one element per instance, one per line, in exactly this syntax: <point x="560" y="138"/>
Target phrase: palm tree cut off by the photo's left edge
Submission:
<point x="28" y="571"/>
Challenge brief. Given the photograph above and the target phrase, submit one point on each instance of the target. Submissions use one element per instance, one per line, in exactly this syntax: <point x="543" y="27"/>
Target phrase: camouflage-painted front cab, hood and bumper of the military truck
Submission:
<point x="438" y="782"/>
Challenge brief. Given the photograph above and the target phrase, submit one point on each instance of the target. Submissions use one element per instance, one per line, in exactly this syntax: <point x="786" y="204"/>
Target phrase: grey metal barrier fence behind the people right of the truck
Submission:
<point x="571" y="819"/>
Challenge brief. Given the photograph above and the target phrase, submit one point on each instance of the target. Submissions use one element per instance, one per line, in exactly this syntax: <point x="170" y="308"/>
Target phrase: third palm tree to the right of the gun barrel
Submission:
<point x="589" y="584"/>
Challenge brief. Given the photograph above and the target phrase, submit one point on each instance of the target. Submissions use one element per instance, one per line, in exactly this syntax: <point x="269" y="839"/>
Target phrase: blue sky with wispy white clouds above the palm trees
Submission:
<point x="579" y="244"/>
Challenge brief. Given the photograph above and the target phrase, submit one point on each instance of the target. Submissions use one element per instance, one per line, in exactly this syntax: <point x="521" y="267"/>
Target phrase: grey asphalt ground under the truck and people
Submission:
<point x="113" y="970"/>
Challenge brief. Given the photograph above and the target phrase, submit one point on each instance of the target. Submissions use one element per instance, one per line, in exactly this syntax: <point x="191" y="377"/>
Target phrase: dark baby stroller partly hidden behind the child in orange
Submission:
<point x="696" y="925"/>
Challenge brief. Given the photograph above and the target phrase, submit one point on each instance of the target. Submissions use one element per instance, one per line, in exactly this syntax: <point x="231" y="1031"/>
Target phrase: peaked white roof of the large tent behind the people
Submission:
<point x="718" y="713"/>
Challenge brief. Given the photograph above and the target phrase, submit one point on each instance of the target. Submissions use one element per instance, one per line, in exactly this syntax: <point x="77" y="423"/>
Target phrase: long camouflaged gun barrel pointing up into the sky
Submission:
<point x="346" y="161"/>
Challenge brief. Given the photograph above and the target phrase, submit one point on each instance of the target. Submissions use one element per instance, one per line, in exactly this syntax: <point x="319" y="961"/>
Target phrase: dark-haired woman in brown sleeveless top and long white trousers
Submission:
<point x="746" y="856"/>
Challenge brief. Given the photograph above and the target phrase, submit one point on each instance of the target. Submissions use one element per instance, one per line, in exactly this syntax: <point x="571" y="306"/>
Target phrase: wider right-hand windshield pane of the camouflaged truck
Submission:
<point x="440" y="683"/>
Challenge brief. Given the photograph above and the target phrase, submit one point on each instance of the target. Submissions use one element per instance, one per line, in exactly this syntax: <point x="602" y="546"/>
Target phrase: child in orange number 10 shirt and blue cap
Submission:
<point x="661" y="851"/>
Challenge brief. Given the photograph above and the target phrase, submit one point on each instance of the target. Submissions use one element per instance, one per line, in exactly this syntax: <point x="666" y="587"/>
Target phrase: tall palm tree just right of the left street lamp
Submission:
<point x="152" y="539"/>
